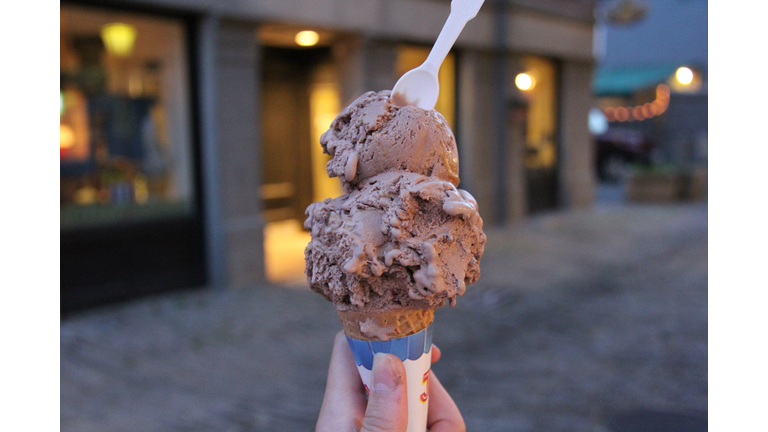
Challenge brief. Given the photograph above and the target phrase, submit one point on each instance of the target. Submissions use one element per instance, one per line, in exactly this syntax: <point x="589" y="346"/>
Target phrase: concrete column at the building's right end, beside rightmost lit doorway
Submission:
<point x="576" y="164"/>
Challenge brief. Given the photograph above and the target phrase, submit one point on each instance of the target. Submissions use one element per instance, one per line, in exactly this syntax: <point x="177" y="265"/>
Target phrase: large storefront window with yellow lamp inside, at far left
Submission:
<point x="125" y="129"/>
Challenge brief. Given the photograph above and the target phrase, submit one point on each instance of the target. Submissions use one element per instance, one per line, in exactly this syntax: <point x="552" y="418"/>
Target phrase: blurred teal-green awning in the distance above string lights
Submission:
<point x="627" y="81"/>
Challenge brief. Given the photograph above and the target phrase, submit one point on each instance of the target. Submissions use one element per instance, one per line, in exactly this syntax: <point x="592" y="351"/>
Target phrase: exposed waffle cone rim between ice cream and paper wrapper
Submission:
<point x="387" y="325"/>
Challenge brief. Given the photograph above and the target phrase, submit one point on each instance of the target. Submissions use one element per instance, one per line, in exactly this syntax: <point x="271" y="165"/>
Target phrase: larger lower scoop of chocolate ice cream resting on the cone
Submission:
<point x="402" y="240"/>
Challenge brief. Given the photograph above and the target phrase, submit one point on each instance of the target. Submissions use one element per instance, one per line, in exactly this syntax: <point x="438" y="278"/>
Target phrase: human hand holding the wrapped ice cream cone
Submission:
<point x="345" y="407"/>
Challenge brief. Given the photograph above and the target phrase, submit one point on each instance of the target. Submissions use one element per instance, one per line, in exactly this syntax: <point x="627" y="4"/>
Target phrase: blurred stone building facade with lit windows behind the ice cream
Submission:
<point x="189" y="129"/>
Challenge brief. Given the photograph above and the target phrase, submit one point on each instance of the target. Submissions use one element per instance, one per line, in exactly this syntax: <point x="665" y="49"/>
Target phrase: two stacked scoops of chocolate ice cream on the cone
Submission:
<point x="403" y="236"/>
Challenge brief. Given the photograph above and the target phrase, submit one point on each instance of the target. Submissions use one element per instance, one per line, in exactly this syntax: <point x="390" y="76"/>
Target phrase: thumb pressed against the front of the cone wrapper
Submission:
<point x="388" y="402"/>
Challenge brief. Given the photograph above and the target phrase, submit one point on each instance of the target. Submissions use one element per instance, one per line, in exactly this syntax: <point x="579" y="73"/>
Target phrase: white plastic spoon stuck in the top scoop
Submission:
<point x="420" y="87"/>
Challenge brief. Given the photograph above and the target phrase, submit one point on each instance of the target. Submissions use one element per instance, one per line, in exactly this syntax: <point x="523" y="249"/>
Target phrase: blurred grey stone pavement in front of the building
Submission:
<point x="580" y="319"/>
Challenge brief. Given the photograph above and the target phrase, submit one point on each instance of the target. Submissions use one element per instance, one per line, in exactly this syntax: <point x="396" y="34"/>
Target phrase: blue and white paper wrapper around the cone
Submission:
<point x="415" y="351"/>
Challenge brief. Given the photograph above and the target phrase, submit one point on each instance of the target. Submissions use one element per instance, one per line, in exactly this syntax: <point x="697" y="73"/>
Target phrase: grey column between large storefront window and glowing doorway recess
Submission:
<point x="232" y="153"/>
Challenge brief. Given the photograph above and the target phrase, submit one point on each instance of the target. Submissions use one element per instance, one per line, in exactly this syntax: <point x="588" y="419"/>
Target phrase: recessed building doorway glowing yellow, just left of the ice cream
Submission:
<point x="299" y="102"/>
